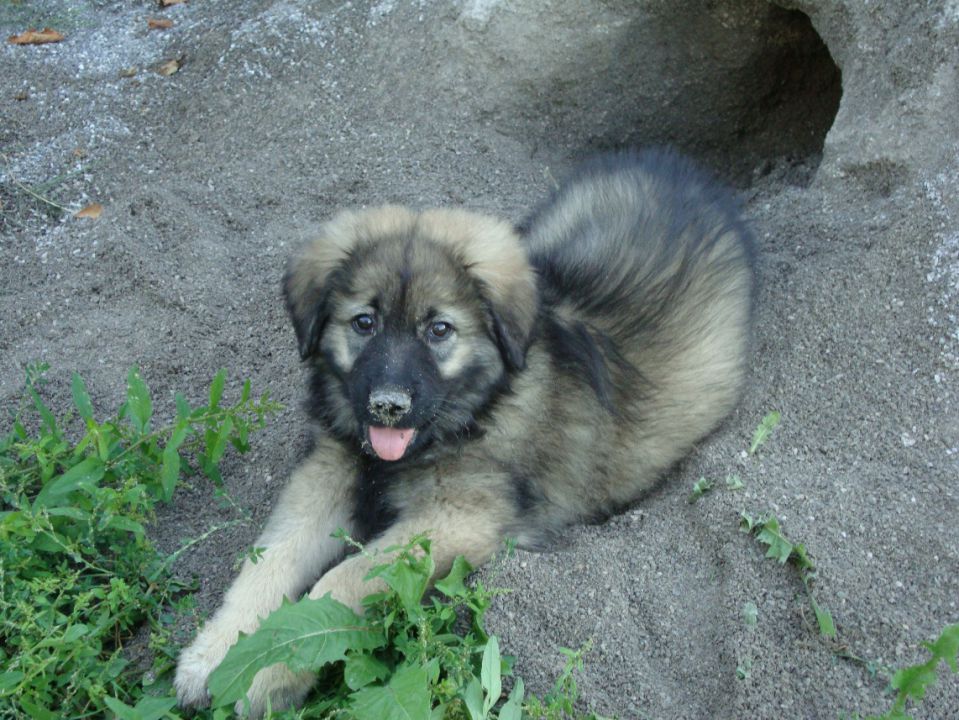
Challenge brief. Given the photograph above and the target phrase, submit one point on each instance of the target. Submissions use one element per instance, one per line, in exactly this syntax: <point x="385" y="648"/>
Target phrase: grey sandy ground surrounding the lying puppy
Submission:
<point x="278" y="116"/>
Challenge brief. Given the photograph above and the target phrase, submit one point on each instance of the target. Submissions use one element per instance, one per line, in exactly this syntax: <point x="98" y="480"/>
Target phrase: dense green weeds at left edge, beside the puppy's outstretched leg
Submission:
<point x="78" y="573"/>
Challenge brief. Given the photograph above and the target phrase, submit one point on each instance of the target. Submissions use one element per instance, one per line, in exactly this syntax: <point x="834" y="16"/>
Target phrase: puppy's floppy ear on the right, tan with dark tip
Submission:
<point x="492" y="253"/>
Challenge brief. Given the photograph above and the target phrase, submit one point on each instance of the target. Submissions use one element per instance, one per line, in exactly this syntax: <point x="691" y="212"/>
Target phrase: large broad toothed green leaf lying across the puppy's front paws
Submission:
<point x="305" y="635"/>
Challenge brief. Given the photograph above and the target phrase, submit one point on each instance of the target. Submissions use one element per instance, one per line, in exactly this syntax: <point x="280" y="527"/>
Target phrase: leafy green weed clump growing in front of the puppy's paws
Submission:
<point x="404" y="658"/>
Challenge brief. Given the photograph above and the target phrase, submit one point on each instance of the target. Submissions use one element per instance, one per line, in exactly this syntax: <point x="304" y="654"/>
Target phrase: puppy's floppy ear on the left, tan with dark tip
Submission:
<point x="311" y="274"/>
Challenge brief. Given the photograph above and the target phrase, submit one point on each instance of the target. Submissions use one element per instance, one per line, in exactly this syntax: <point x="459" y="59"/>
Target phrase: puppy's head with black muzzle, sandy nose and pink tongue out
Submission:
<point x="412" y="322"/>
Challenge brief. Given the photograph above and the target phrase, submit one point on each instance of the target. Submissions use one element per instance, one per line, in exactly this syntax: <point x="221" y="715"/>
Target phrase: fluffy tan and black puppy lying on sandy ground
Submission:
<point x="476" y="381"/>
